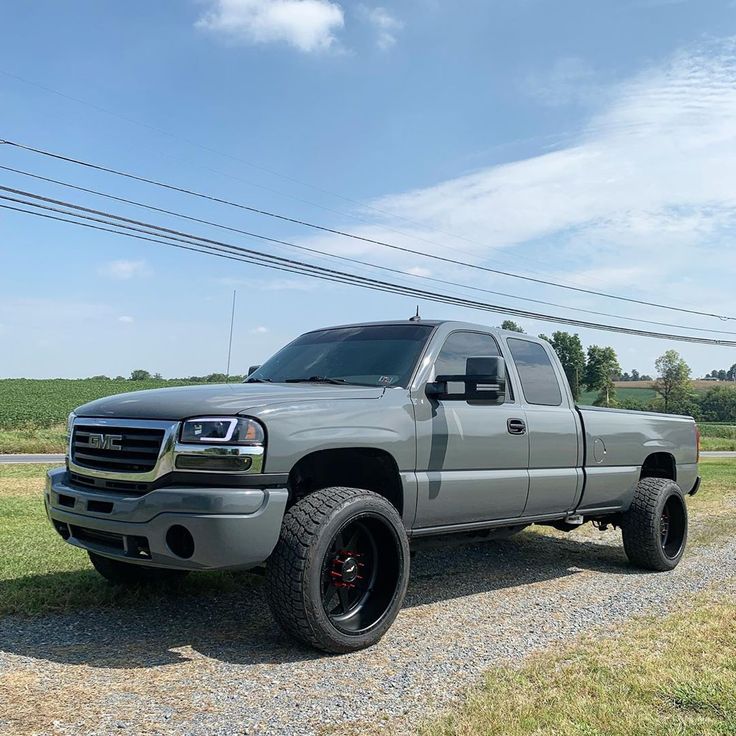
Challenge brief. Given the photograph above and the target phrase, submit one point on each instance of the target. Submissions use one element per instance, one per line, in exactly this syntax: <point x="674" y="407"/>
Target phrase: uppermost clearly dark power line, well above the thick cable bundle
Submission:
<point x="342" y="233"/>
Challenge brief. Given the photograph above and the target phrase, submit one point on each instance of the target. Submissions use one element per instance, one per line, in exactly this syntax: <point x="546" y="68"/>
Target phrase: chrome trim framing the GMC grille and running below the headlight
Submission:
<point x="170" y="449"/>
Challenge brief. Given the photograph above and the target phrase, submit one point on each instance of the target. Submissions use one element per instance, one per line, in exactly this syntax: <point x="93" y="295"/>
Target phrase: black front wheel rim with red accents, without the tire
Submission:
<point x="360" y="574"/>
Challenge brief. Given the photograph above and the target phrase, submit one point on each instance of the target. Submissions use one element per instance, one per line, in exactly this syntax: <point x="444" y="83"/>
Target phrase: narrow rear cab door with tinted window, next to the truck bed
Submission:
<point x="555" y="457"/>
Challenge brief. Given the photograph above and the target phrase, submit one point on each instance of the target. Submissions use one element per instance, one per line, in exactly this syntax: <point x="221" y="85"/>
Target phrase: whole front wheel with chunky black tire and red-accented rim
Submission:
<point x="339" y="573"/>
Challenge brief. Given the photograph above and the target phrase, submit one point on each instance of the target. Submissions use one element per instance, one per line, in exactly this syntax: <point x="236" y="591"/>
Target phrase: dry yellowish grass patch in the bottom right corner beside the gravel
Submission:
<point x="671" y="676"/>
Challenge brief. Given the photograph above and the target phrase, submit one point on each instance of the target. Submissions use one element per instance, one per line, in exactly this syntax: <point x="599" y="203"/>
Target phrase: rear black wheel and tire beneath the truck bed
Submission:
<point x="655" y="526"/>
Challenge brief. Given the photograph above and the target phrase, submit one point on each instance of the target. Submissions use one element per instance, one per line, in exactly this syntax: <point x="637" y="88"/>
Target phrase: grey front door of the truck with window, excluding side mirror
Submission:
<point x="472" y="457"/>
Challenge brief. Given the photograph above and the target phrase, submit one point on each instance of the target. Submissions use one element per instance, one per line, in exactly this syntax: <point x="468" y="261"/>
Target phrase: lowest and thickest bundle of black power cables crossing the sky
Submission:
<point x="196" y="243"/>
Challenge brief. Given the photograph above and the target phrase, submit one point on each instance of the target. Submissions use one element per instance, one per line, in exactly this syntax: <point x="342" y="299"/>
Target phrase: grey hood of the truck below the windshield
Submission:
<point x="225" y="399"/>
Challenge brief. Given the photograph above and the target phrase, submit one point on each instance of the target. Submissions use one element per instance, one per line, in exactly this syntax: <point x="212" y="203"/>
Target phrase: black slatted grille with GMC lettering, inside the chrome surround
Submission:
<point x="121" y="449"/>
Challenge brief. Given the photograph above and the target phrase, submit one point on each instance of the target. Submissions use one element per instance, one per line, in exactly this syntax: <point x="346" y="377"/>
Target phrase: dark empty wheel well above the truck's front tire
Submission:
<point x="368" y="468"/>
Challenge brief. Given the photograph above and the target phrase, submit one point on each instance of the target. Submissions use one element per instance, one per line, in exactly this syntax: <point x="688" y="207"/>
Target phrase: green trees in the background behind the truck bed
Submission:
<point x="598" y="369"/>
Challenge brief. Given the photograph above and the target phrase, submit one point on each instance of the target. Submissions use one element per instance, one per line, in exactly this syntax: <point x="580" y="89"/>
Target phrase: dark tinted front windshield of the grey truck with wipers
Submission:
<point x="375" y="355"/>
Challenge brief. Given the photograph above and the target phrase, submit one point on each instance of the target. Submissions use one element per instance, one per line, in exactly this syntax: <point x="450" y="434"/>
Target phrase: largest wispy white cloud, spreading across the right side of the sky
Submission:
<point x="641" y="202"/>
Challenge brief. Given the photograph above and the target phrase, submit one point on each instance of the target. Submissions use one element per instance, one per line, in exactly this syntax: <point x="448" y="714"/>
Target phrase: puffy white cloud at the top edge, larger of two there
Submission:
<point x="308" y="25"/>
